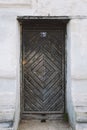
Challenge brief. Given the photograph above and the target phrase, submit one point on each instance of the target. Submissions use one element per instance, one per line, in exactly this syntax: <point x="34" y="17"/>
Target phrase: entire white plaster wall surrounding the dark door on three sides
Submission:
<point x="76" y="46"/>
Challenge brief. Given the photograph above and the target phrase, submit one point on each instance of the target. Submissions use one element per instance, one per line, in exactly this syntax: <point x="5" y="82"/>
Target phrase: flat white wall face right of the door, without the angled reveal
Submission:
<point x="79" y="68"/>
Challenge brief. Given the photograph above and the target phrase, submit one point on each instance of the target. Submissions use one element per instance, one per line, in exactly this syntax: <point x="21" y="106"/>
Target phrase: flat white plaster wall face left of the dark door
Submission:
<point x="9" y="53"/>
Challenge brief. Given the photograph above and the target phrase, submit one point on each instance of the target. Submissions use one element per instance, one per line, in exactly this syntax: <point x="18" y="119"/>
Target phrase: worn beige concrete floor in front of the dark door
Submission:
<point x="48" y="125"/>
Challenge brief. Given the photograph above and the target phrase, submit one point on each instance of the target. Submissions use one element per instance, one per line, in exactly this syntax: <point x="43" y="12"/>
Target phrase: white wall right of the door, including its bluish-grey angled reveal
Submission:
<point x="76" y="90"/>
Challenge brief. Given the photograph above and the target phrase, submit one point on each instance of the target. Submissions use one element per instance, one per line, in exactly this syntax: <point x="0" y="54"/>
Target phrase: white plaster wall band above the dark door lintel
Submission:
<point x="47" y="7"/>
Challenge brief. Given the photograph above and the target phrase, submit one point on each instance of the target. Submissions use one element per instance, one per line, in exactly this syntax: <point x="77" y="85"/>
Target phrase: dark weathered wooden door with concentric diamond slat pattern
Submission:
<point x="43" y="71"/>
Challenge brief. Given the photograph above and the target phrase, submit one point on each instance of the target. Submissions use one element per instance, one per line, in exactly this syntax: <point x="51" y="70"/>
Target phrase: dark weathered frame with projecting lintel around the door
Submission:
<point x="22" y="19"/>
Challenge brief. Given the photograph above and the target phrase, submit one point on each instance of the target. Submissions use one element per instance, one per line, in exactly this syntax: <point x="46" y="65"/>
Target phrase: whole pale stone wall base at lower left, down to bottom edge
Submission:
<point x="7" y="110"/>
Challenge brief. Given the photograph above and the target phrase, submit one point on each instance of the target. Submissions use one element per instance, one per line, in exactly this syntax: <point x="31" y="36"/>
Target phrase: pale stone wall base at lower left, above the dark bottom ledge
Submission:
<point x="7" y="106"/>
